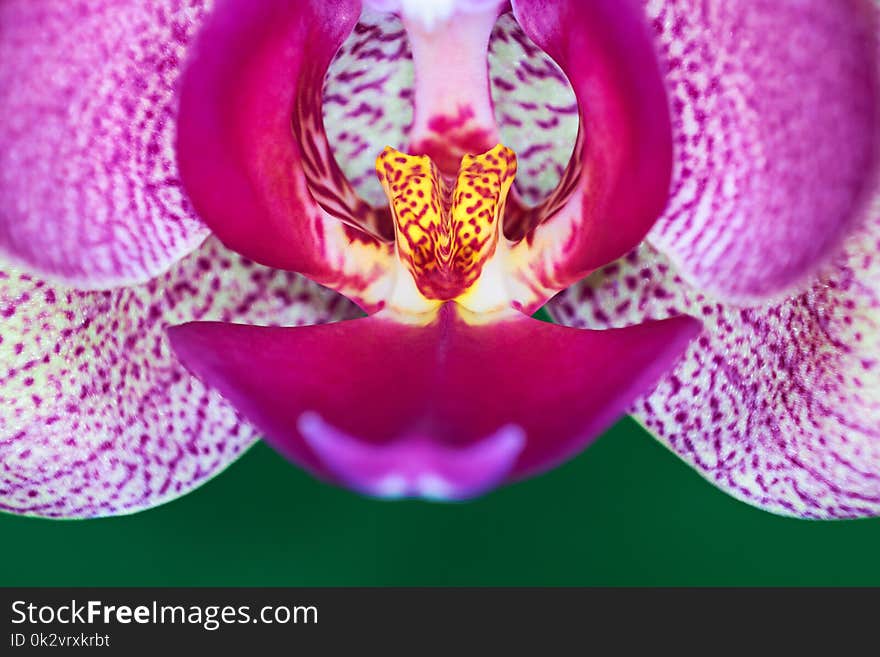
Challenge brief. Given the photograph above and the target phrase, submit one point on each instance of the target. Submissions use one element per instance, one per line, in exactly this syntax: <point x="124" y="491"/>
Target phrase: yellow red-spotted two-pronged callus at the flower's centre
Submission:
<point x="446" y="231"/>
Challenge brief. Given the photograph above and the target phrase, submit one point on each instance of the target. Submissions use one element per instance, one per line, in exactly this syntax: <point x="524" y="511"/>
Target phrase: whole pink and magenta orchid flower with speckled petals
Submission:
<point x="187" y="188"/>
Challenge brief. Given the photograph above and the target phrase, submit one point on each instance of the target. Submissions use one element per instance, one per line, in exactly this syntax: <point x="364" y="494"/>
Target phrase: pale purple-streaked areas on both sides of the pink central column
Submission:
<point x="368" y="104"/>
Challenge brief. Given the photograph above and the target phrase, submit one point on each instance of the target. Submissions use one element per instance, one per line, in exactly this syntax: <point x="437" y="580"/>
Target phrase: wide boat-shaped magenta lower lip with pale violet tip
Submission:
<point x="436" y="411"/>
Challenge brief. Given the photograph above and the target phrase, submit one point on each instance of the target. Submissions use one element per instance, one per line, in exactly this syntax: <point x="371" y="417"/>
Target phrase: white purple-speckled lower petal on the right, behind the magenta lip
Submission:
<point x="779" y="405"/>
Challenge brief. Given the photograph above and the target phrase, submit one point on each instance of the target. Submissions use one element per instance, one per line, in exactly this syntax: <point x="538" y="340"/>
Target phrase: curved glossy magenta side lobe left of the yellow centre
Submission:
<point x="253" y="153"/>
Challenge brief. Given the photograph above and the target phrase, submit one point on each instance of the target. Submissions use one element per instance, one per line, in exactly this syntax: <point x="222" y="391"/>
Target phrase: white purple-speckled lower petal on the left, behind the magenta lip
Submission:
<point x="97" y="416"/>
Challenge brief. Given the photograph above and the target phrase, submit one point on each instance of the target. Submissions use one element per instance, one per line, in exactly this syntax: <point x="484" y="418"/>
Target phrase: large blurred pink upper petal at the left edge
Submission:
<point x="89" y="190"/>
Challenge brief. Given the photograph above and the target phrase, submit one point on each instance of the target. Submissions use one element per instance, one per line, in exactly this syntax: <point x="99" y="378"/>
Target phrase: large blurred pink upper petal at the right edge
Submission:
<point x="775" y="120"/>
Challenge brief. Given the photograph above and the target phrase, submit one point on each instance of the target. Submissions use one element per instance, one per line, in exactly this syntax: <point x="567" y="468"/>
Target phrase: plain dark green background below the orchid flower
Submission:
<point x="625" y="512"/>
